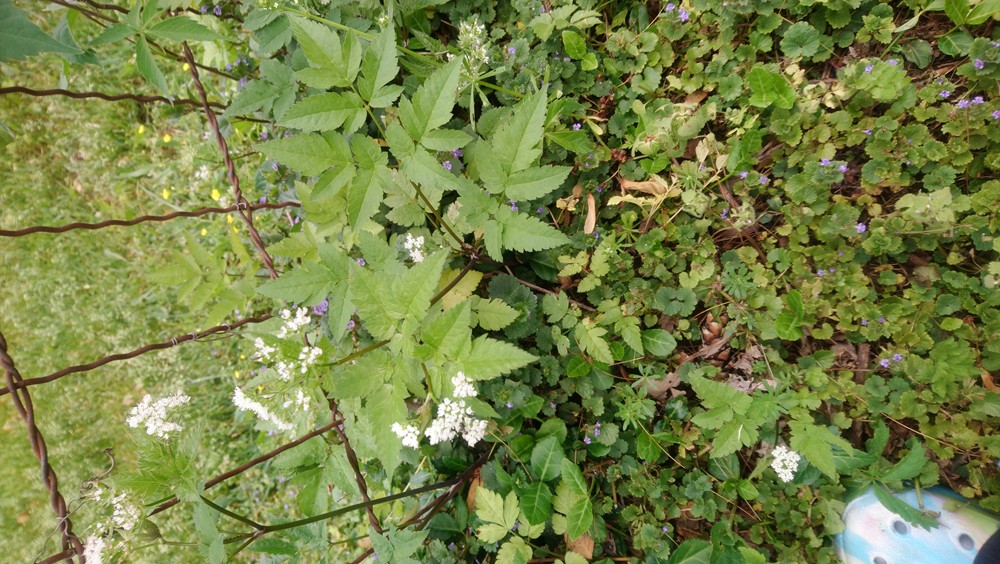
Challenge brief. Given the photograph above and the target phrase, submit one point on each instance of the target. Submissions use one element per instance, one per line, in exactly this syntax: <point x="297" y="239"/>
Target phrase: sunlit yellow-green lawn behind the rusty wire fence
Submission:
<point x="72" y="298"/>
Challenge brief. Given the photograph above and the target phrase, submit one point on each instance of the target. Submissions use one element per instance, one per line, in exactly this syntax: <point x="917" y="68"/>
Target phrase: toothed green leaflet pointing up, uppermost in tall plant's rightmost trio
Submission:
<point x="517" y="143"/>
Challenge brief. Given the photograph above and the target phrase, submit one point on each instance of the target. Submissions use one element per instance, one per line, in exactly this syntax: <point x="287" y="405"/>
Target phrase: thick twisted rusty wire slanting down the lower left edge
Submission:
<point x="25" y="407"/>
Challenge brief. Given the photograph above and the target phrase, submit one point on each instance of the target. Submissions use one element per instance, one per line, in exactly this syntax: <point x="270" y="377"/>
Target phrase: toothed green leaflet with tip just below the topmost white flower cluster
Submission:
<point x="432" y="103"/>
